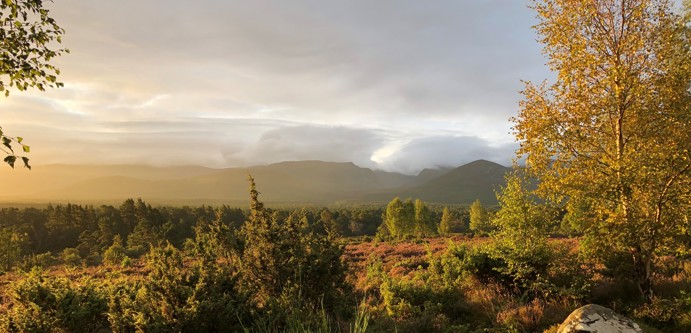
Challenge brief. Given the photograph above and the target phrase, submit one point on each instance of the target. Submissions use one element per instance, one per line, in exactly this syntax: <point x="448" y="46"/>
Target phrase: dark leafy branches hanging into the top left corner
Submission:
<point x="28" y="35"/>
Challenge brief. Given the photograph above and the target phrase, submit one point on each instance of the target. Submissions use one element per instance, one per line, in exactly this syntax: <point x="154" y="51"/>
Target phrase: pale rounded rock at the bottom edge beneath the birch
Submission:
<point x="594" y="318"/>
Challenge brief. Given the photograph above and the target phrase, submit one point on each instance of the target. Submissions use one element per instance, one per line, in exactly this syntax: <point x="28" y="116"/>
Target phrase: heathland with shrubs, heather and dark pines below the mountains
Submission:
<point x="408" y="267"/>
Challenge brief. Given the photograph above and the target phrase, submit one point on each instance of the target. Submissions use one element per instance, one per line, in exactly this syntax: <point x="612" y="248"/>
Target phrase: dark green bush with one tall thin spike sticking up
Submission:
<point x="289" y="265"/>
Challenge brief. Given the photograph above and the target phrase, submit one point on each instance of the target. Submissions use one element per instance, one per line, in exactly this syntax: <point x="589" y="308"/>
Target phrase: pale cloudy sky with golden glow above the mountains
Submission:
<point x="392" y="85"/>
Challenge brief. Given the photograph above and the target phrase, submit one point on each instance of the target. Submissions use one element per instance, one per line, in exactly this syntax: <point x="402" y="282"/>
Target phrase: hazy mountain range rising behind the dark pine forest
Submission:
<point x="298" y="182"/>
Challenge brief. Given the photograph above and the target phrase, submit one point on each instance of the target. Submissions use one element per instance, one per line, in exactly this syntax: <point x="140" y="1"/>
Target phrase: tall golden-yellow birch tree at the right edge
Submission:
<point x="614" y="130"/>
